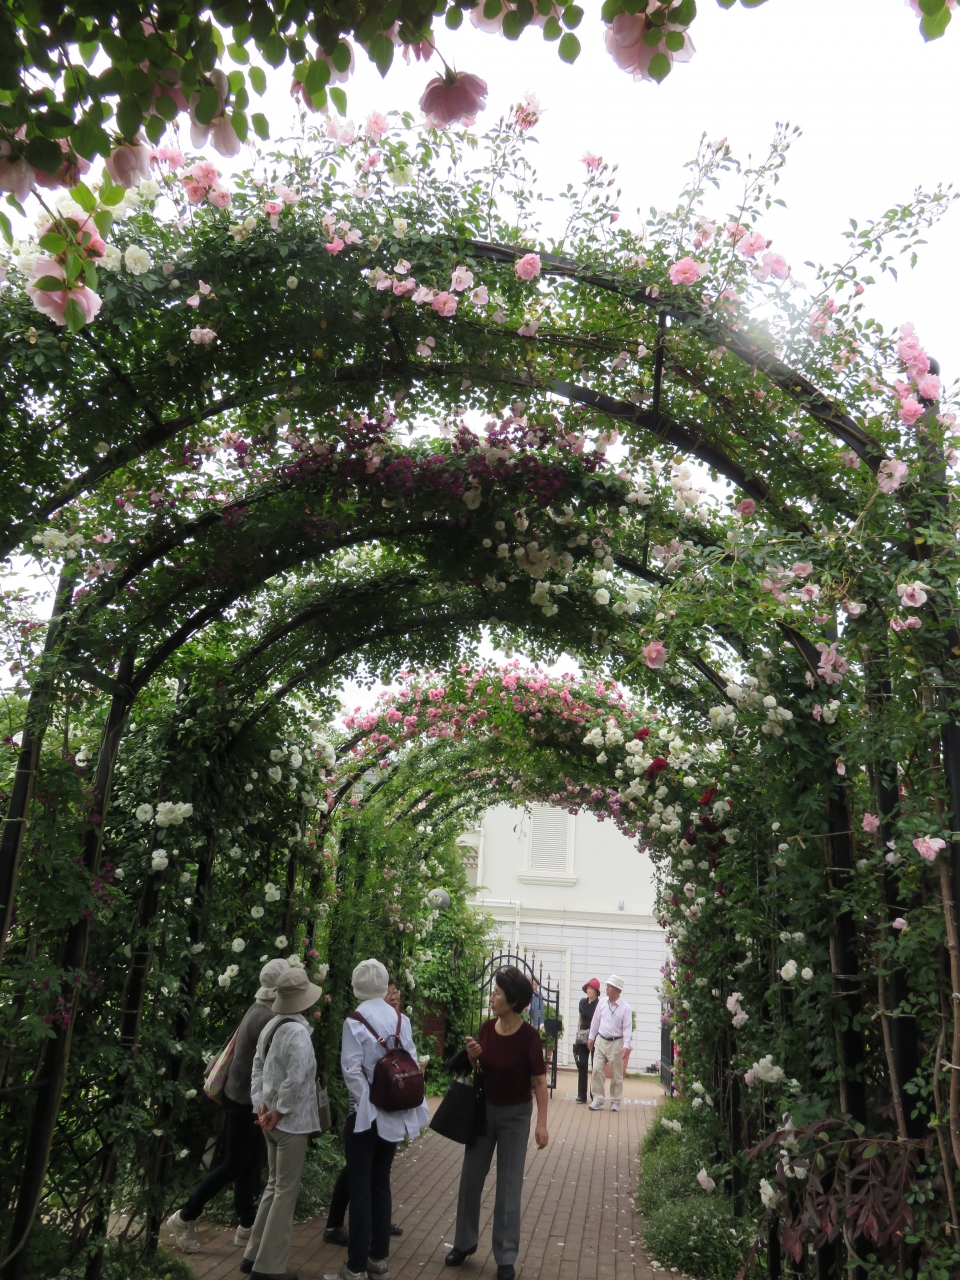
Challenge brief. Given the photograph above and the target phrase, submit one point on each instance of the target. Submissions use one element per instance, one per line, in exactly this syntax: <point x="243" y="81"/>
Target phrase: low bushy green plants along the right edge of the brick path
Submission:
<point x="685" y="1227"/>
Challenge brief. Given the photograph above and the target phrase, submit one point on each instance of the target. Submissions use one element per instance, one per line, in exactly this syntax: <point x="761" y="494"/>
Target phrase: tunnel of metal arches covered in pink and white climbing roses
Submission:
<point x="350" y="429"/>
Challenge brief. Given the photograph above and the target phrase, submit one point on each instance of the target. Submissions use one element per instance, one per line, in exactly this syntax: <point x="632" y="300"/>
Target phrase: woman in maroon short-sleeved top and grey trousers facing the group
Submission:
<point x="511" y="1057"/>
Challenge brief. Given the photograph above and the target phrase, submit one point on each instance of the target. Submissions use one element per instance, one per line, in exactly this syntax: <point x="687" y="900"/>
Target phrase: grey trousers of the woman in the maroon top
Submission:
<point x="509" y="1131"/>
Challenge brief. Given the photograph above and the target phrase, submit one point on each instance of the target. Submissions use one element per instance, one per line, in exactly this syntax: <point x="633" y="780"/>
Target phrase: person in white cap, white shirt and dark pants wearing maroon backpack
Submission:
<point x="371" y="1136"/>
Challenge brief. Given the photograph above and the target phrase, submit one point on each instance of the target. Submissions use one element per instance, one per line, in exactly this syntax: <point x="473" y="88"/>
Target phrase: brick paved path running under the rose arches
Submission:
<point x="579" y="1220"/>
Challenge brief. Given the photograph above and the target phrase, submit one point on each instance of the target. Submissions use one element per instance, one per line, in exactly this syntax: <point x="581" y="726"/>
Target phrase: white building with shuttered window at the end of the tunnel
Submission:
<point x="580" y="897"/>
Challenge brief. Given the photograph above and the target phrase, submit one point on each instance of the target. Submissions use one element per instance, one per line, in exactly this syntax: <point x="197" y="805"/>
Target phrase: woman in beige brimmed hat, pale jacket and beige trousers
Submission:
<point x="284" y="1092"/>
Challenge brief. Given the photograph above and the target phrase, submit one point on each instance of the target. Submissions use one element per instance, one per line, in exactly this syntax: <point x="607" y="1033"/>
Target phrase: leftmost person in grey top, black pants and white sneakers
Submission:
<point x="244" y="1142"/>
